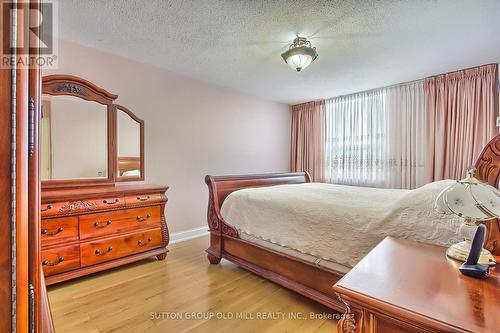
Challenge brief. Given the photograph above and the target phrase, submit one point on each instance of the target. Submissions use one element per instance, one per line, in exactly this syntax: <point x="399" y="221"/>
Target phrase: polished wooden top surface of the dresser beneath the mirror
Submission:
<point x="99" y="191"/>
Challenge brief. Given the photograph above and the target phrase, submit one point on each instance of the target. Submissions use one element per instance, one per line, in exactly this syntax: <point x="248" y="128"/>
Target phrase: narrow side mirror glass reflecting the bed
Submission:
<point x="129" y="145"/>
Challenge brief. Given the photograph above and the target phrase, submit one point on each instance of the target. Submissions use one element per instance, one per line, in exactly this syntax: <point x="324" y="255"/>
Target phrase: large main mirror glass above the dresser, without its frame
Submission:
<point x="74" y="138"/>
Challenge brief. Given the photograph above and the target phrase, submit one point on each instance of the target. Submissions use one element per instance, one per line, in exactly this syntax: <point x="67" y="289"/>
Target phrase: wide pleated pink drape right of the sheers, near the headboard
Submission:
<point x="461" y="108"/>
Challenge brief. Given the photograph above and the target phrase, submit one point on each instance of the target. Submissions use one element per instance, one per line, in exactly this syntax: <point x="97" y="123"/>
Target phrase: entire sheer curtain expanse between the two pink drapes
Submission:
<point x="376" y="138"/>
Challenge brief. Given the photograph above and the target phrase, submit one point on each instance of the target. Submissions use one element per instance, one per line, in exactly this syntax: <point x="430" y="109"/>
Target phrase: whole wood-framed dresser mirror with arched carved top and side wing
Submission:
<point x="86" y="139"/>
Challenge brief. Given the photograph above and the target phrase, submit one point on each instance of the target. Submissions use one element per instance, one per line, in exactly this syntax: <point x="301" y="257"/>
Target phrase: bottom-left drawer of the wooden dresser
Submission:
<point x="60" y="259"/>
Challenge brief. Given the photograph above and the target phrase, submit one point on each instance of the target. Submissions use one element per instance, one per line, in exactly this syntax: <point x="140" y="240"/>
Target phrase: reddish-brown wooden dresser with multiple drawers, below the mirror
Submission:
<point x="87" y="230"/>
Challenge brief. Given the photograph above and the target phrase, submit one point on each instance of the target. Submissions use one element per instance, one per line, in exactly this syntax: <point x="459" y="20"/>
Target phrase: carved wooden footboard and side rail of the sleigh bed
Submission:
<point x="298" y="275"/>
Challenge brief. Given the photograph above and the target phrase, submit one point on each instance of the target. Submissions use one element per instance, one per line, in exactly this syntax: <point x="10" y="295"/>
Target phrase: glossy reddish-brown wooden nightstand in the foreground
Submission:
<point x="406" y="286"/>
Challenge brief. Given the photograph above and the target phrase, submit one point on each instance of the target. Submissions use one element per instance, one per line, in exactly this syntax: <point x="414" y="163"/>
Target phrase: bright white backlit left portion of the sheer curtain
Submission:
<point x="356" y="146"/>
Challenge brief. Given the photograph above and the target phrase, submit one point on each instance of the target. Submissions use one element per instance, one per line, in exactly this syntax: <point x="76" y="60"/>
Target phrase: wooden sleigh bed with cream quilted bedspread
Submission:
<point x="245" y="231"/>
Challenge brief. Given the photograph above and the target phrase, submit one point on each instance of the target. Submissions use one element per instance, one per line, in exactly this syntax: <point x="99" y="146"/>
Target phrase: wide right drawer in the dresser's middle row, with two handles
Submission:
<point x="108" y="223"/>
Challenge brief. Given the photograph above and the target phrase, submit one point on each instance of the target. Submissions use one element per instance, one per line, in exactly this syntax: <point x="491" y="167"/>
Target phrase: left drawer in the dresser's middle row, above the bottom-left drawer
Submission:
<point x="59" y="230"/>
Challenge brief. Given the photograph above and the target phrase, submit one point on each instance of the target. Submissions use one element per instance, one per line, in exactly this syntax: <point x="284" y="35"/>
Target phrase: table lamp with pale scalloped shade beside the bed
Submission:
<point x="474" y="201"/>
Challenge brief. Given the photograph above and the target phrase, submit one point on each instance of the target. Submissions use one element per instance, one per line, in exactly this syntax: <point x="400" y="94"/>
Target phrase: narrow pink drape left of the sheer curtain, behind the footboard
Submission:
<point x="308" y="139"/>
